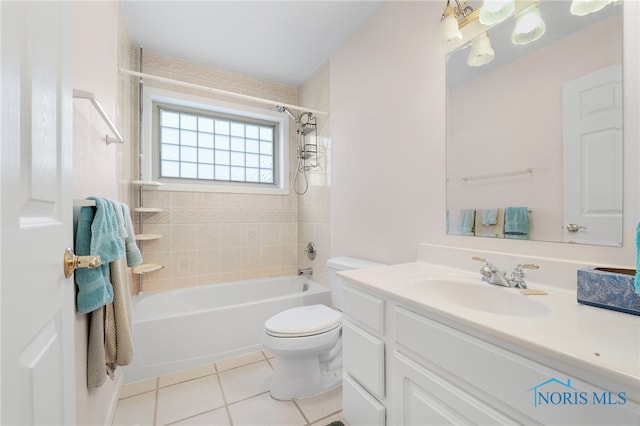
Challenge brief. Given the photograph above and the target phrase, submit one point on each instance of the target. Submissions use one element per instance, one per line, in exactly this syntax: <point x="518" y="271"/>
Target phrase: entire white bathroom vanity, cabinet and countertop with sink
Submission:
<point x="430" y="345"/>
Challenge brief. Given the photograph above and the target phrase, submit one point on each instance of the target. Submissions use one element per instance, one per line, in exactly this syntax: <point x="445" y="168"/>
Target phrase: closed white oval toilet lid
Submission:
<point x="303" y="321"/>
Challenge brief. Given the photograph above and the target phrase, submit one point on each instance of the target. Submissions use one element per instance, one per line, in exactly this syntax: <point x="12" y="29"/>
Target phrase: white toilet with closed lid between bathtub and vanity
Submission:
<point x="307" y="341"/>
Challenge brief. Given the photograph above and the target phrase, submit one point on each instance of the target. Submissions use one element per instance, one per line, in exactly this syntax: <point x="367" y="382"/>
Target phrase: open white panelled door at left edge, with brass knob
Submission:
<point x="37" y="301"/>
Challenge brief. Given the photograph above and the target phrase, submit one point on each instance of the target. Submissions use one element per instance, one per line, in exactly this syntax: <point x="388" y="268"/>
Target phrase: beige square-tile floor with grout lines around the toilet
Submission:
<point x="230" y="392"/>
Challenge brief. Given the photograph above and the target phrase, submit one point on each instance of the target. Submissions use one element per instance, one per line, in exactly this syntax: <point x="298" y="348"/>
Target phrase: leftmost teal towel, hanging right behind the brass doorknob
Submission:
<point x="94" y="288"/>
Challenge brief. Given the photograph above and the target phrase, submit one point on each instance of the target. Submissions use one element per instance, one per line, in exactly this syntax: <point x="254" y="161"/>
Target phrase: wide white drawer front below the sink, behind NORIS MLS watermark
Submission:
<point x="505" y="380"/>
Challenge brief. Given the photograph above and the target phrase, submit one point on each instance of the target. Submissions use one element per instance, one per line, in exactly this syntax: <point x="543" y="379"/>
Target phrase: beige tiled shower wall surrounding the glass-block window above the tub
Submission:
<point x="217" y="237"/>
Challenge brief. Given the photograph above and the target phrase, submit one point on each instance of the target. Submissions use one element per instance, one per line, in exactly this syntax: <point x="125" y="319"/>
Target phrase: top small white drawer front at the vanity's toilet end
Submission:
<point x="365" y="309"/>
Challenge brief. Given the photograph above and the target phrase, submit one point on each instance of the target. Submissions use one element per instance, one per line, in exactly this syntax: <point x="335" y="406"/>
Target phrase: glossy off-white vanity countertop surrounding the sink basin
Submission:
<point x="599" y="340"/>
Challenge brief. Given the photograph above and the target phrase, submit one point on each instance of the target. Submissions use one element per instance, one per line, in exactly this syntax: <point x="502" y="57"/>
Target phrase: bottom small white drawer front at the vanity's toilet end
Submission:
<point x="360" y="408"/>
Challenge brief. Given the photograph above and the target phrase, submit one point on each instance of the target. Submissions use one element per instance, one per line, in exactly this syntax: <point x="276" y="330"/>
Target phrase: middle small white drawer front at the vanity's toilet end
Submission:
<point x="363" y="358"/>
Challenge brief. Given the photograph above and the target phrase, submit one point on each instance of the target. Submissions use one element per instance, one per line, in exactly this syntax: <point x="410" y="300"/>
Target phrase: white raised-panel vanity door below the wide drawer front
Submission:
<point x="424" y="398"/>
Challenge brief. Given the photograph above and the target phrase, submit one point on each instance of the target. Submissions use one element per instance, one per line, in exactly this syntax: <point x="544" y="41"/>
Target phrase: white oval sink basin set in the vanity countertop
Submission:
<point x="480" y="296"/>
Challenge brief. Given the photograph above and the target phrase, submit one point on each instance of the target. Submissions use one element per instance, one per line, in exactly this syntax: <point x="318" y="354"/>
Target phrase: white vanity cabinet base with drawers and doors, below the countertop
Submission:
<point x="439" y="371"/>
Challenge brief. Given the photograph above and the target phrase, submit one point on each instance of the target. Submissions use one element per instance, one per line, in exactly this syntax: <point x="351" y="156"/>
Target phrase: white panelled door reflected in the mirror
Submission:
<point x="592" y="158"/>
